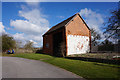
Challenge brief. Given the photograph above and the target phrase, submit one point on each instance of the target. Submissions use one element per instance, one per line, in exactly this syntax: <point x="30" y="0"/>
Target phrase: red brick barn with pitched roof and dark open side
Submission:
<point x="72" y="32"/>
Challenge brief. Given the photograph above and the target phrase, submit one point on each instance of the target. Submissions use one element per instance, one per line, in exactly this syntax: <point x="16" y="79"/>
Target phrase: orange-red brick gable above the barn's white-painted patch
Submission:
<point x="77" y="27"/>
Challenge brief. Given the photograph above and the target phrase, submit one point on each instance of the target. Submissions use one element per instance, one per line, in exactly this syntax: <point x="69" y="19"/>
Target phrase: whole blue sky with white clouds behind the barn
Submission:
<point x="30" y="20"/>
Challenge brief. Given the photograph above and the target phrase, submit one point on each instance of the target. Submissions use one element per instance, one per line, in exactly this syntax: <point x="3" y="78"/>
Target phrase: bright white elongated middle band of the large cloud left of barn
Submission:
<point x="27" y="27"/>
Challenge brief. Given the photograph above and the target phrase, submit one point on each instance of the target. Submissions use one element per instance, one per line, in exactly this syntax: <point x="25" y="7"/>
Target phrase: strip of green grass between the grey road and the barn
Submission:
<point x="85" y="69"/>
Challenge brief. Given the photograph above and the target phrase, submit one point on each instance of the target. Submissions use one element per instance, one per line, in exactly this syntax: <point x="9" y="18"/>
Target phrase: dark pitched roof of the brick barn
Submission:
<point x="63" y="23"/>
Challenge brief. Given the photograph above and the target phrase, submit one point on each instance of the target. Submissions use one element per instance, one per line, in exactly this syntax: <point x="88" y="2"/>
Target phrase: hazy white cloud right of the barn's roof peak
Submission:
<point x="94" y="20"/>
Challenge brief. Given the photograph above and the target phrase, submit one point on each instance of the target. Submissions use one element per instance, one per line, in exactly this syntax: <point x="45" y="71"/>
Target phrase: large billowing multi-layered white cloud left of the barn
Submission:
<point x="32" y="27"/>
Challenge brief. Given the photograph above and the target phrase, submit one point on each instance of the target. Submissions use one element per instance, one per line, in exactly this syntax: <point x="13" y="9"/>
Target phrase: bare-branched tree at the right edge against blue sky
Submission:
<point x="113" y="24"/>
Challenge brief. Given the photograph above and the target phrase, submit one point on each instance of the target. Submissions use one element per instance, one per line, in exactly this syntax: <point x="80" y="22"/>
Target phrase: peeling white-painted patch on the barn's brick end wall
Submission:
<point x="77" y="44"/>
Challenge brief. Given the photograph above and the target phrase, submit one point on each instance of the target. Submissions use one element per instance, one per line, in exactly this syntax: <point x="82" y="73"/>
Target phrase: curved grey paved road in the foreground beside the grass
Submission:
<point x="13" y="67"/>
